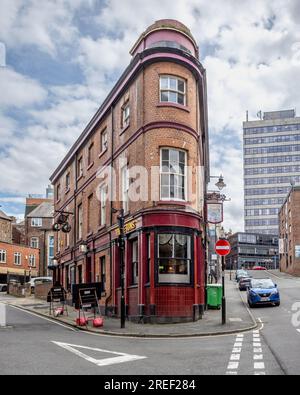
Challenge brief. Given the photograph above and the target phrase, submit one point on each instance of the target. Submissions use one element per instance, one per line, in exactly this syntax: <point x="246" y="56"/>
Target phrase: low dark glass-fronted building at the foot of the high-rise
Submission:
<point x="250" y="249"/>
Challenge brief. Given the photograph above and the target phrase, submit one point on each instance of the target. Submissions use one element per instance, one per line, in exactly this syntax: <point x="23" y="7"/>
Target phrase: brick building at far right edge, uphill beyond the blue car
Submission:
<point x="289" y="221"/>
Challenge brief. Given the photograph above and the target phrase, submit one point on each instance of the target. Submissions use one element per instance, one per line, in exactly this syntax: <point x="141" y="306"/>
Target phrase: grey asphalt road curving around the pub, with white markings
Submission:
<point x="37" y="346"/>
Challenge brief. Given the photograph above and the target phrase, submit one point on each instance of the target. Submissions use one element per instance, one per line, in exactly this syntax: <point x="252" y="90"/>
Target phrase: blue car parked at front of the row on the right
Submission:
<point x="263" y="292"/>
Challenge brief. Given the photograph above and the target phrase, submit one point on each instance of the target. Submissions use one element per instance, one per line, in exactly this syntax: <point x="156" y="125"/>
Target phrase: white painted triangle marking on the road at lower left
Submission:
<point x="119" y="358"/>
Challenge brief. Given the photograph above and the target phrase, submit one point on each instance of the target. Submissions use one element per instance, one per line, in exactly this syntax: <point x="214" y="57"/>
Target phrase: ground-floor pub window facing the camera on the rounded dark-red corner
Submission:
<point x="174" y="258"/>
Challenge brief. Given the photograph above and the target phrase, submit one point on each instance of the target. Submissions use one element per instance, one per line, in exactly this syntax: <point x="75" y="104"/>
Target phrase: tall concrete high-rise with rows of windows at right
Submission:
<point x="271" y="166"/>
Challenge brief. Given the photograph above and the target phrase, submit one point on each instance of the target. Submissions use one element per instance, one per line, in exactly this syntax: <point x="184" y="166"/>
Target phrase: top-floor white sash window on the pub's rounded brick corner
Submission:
<point x="172" y="90"/>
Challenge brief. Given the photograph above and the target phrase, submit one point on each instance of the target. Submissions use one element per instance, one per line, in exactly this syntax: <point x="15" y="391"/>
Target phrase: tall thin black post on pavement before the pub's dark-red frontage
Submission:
<point x="121" y="244"/>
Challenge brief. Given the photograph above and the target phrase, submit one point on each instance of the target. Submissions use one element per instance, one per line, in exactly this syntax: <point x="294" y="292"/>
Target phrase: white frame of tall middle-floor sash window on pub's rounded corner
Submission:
<point x="163" y="173"/>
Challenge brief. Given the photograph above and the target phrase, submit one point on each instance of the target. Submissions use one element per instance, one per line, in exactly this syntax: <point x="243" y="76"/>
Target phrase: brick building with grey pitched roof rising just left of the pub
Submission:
<point x="38" y="229"/>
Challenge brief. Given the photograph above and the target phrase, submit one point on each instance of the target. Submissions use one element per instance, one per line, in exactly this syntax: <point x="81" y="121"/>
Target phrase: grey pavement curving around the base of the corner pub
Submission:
<point x="239" y="319"/>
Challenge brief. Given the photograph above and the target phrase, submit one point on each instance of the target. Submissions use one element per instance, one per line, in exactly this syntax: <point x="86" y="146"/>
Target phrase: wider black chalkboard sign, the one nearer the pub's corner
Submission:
<point x="86" y="295"/>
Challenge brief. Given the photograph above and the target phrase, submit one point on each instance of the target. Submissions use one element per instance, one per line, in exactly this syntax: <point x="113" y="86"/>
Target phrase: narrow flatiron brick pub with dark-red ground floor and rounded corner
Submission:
<point x="155" y="117"/>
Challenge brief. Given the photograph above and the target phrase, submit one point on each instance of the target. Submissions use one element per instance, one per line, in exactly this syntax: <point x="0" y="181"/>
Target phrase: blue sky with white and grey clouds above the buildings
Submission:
<point x="60" y="58"/>
